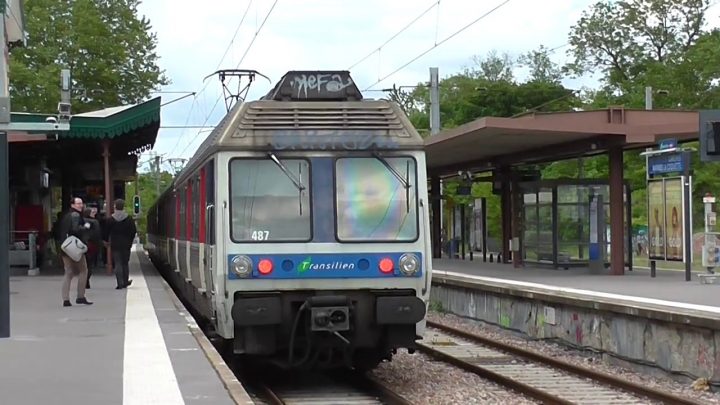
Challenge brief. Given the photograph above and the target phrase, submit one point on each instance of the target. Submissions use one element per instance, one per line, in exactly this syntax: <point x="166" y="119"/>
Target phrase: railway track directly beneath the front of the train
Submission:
<point x="323" y="389"/>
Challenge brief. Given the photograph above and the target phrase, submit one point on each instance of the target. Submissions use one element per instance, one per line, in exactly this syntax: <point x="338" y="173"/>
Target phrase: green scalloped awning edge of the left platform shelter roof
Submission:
<point x="109" y="123"/>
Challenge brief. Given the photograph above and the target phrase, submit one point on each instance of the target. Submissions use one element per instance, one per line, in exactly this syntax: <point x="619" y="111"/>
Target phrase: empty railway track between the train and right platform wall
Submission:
<point x="540" y="377"/>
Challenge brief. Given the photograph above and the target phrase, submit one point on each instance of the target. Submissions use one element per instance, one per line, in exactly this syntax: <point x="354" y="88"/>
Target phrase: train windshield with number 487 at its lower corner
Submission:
<point x="267" y="204"/>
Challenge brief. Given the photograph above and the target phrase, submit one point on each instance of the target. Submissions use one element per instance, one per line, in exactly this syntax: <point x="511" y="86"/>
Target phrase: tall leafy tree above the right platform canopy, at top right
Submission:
<point x="638" y="43"/>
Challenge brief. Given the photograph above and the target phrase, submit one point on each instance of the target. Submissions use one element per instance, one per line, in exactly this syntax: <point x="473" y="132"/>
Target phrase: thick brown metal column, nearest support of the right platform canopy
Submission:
<point x="617" y="222"/>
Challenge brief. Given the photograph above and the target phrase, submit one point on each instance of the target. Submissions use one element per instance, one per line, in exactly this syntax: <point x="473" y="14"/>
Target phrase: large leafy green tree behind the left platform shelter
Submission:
<point x="109" y="50"/>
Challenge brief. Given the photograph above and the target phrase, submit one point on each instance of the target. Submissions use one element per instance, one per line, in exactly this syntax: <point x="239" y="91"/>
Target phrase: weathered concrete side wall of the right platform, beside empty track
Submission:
<point x="686" y="347"/>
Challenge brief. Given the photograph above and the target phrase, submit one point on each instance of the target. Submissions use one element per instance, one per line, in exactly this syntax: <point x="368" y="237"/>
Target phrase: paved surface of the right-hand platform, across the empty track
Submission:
<point x="668" y="285"/>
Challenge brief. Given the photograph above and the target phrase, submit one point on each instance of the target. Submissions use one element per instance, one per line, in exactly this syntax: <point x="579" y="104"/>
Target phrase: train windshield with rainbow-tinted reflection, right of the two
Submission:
<point x="376" y="199"/>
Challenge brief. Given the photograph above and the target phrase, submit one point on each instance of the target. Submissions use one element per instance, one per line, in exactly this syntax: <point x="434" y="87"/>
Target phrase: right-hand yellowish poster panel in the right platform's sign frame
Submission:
<point x="674" y="219"/>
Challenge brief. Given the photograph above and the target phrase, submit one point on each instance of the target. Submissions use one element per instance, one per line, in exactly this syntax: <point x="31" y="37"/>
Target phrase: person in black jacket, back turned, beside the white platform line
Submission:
<point x="120" y="231"/>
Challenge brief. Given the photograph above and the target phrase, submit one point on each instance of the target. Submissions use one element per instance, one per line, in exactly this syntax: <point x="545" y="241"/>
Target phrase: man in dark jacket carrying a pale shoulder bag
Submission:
<point x="74" y="224"/>
